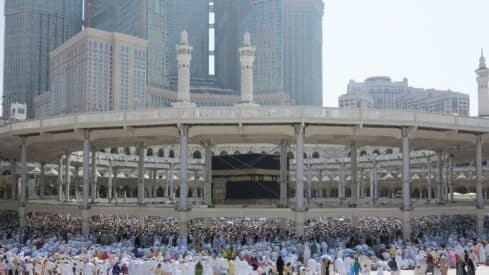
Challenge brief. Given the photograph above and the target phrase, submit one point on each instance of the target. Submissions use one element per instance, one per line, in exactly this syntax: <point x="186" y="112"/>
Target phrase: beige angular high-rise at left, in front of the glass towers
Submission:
<point x="96" y="71"/>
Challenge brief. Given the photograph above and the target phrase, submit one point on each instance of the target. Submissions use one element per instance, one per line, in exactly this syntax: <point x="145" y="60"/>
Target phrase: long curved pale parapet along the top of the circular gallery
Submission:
<point x="261" y="114"/>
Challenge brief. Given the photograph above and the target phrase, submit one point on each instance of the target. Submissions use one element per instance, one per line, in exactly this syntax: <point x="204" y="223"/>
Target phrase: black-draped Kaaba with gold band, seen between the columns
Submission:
<point x="246" y="176"/>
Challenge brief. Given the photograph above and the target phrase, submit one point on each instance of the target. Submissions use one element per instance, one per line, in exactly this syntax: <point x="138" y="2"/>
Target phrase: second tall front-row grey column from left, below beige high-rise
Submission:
<point x="86" y="178"/>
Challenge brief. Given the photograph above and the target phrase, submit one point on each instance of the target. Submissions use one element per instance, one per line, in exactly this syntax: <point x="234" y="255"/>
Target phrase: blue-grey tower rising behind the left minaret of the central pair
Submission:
<point x="160" y="22"/>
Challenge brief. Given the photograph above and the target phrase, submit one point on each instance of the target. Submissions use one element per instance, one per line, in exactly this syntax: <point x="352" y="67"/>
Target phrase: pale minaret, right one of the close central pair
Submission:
<point x="246" y="58"/>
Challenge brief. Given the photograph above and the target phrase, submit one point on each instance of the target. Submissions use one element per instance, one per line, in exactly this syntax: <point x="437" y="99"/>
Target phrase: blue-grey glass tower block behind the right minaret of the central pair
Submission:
<point x="288" y="38"/>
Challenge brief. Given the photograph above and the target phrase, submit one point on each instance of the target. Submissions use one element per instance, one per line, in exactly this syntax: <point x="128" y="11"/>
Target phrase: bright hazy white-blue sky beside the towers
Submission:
<point x="434" y="43"/>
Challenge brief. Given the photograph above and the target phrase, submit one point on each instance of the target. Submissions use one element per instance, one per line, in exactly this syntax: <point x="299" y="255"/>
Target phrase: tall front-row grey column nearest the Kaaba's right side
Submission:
<point x="299" y="168"/>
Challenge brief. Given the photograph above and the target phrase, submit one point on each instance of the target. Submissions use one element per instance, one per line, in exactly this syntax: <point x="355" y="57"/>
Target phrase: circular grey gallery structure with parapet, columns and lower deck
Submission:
<point x="41" y="140"/>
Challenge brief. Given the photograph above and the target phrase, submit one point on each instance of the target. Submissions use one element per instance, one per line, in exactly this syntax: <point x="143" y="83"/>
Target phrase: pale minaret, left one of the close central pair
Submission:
<point x="184" y="56"/>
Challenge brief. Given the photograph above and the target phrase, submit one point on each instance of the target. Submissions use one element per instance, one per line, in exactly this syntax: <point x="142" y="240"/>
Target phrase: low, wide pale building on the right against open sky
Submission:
<point x="383" y="93"/>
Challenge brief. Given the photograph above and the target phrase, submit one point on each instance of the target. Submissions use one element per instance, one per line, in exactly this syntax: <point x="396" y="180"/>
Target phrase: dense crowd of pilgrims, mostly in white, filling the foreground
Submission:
<point x="53" y="244"/>
